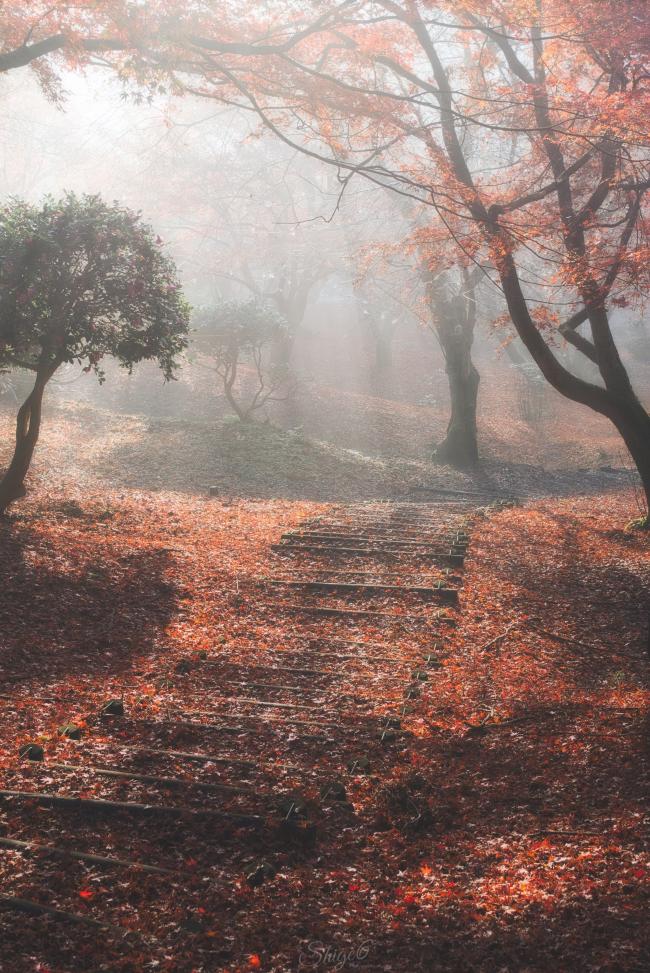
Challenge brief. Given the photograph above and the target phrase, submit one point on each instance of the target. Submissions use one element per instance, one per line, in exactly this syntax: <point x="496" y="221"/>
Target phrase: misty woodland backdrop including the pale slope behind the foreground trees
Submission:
<point x="365" y="398"/>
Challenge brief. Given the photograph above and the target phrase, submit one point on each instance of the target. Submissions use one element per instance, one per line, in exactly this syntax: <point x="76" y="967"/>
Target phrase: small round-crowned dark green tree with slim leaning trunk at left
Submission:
<point x="80" y="280"/>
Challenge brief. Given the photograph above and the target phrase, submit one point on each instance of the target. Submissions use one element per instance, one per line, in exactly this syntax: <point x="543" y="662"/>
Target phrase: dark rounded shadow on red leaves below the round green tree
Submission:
<point x="64" y="619"/>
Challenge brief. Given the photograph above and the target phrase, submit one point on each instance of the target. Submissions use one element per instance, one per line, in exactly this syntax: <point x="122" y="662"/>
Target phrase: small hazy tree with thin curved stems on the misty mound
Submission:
<point x="239" y="334"/>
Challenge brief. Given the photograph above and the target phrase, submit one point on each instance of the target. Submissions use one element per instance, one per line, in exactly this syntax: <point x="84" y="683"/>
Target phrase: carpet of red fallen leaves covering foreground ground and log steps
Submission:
<point x="308" y="736"/>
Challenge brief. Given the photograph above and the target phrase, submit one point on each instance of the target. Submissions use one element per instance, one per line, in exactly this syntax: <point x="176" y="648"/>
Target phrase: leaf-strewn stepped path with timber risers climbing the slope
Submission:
<point x="252" y="763"/>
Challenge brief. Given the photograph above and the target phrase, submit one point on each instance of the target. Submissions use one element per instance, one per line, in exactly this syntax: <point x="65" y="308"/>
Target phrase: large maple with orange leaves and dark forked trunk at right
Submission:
<point x="553" y="210"/>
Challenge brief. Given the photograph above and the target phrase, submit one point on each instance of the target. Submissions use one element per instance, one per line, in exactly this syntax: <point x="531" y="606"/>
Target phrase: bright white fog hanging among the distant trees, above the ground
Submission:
<point x="247" y="218"/>
